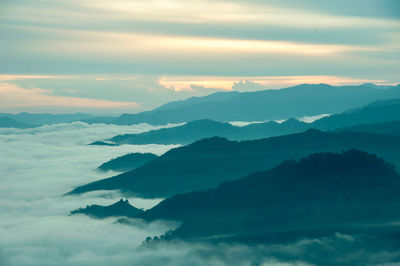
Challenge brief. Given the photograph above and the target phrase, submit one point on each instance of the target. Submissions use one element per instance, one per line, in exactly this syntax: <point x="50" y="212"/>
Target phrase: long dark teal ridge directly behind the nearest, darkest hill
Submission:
<point x="207" y="163"/>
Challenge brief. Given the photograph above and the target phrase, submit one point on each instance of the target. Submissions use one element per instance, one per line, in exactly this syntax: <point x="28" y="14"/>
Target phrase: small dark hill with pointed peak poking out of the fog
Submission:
<point x="120" y="208"/>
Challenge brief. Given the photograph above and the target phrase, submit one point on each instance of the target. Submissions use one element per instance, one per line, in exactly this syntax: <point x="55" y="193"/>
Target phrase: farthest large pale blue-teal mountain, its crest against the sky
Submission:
<point x="298" y="101"/>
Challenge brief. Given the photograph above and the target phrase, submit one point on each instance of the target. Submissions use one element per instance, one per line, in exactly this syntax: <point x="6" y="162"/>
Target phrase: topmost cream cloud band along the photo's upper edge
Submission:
<point x="218" y="12"/>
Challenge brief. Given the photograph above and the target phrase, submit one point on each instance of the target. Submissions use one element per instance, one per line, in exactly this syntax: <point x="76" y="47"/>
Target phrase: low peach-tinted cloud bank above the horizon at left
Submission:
<point x="130" y="93"/>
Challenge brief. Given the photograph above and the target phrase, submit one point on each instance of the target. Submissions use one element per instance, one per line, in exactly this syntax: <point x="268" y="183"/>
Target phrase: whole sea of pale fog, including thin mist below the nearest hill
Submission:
<point x="37" y="166"/>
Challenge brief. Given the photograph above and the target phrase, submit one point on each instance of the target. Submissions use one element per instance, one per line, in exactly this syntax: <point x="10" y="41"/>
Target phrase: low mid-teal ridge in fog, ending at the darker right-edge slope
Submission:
<point x="205" y="128"/>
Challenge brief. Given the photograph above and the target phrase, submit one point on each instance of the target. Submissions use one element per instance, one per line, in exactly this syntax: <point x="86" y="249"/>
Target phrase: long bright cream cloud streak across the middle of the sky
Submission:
<point x="77" y="42"/>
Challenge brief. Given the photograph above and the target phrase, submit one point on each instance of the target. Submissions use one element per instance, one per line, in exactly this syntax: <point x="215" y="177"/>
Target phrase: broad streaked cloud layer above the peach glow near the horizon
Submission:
<point x="175" y="37"/>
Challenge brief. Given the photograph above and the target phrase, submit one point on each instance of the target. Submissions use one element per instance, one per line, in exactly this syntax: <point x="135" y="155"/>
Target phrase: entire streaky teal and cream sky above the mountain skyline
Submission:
<point x="110" y="57"/>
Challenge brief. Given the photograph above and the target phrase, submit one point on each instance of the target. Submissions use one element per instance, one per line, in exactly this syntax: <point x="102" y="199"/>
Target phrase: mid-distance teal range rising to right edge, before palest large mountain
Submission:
<point x="376" y="112"/>
